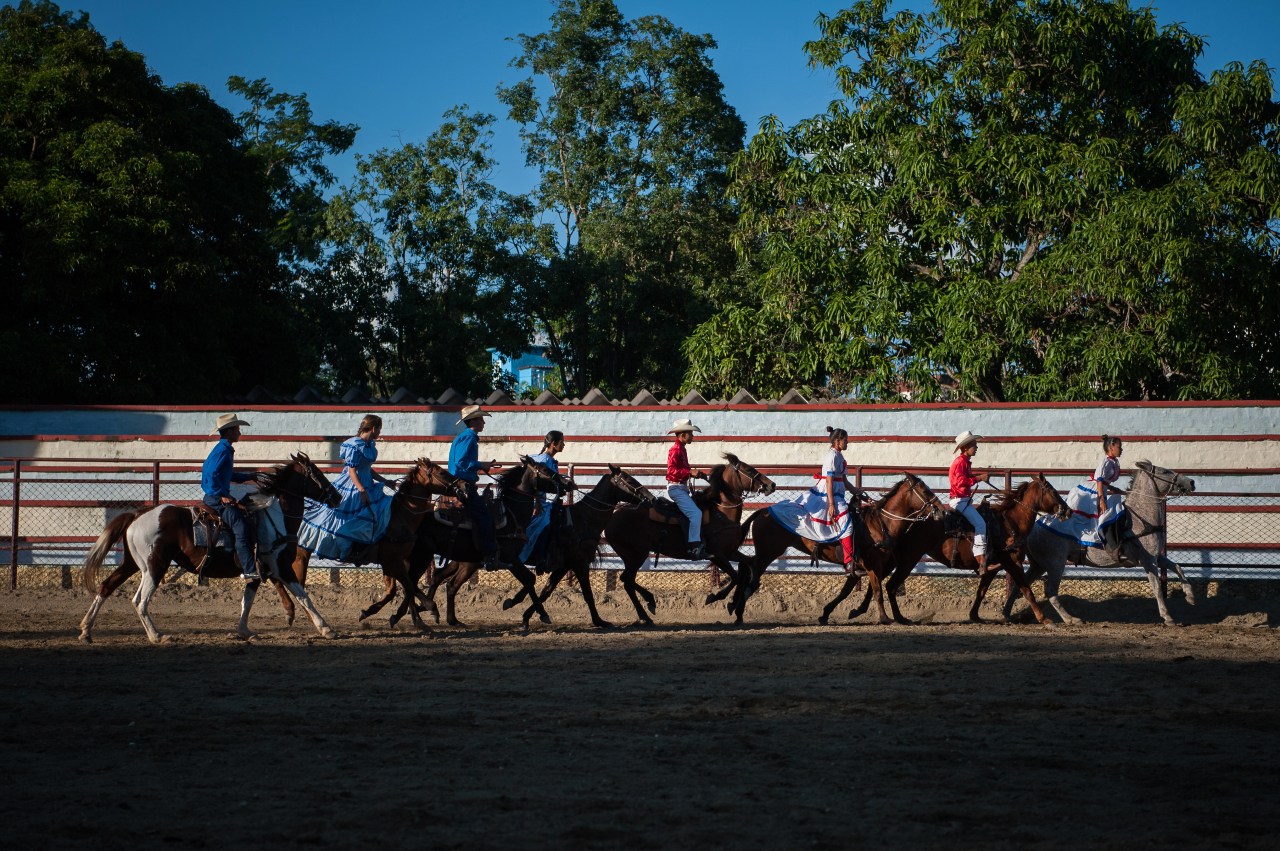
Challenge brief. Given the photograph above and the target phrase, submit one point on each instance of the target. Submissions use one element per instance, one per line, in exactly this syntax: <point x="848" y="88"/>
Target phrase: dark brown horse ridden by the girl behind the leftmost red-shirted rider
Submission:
<point x="578" y="545"/>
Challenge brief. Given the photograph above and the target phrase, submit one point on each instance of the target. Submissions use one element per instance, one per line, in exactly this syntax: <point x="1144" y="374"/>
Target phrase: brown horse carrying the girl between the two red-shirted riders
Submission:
<point x="884" y="523"/>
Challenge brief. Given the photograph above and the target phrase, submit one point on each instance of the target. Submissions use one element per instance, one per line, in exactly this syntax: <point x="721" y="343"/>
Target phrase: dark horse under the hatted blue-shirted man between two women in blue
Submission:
<point x="518" y="488"/>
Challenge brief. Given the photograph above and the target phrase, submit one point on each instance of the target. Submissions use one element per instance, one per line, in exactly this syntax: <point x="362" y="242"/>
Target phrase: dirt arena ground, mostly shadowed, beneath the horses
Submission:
<point x="693" y="734"/>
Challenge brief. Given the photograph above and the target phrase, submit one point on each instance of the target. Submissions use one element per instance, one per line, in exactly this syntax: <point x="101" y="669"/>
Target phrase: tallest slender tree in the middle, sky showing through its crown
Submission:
<point x="629" y="130"/>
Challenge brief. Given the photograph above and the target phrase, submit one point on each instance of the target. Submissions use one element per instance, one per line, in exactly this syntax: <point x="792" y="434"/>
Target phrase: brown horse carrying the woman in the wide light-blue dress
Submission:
<point x="412" y="505"/>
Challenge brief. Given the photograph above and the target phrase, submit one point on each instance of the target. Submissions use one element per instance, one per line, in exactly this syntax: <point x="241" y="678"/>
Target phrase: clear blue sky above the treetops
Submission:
<point x="395" y="67"/>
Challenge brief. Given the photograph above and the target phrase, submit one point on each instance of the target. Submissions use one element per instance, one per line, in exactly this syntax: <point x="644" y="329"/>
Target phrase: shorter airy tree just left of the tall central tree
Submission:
<point x="414" y="290"/>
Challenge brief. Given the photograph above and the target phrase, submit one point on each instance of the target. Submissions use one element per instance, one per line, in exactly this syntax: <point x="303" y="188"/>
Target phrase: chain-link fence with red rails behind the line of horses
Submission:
<point x="52" y="511"/>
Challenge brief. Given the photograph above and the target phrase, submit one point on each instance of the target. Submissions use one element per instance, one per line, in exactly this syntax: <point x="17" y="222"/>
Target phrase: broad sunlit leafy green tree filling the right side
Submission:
<point x="1013" y="200"/>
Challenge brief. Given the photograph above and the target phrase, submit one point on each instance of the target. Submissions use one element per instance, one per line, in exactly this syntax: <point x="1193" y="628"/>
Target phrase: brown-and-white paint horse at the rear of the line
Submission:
<point x="164" y="534"/>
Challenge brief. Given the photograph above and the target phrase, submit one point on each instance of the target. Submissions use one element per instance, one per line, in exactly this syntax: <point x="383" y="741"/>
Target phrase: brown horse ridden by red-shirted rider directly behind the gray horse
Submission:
<point x="949" y="543"/>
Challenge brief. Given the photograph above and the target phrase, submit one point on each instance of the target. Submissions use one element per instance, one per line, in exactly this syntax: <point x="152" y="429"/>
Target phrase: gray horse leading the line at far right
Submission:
<point x="1151" y="487"/>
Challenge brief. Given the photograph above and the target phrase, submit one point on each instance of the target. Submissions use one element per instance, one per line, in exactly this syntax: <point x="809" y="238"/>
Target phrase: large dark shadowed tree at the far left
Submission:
<point x="134" y="228"/>
